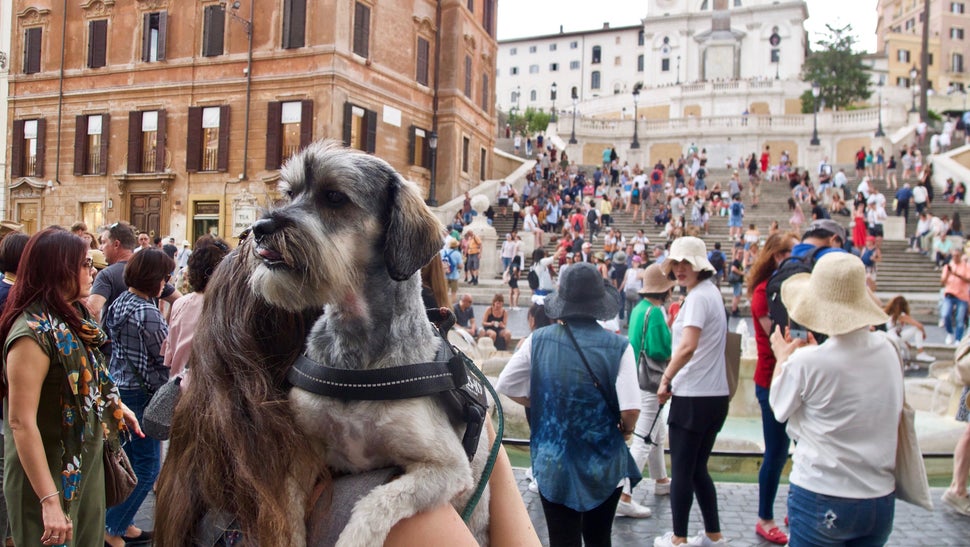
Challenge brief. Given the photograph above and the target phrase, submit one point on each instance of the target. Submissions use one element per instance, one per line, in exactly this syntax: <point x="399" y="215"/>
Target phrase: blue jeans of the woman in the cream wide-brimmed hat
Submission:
<point x="818" y="520"/>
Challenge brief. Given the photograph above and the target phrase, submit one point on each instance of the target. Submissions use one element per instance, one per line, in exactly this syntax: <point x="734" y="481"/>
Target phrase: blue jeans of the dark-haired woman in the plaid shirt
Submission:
<point x="145" y="456"/>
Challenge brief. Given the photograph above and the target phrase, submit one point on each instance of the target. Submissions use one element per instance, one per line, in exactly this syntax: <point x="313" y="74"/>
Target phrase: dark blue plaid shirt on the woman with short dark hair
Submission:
<point x="137" y="330"/>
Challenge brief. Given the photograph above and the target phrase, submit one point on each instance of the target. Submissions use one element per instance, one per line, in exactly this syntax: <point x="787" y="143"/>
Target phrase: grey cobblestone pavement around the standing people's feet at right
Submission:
<point x="737" y="505"/>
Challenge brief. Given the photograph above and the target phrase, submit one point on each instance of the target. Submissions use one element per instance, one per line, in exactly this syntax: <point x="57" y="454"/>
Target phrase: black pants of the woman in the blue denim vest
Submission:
<point x="569" y="528"/>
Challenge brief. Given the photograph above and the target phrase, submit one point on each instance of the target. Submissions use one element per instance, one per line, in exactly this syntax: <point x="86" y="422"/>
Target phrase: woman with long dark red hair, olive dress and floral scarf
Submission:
<point x="53" y="468"/>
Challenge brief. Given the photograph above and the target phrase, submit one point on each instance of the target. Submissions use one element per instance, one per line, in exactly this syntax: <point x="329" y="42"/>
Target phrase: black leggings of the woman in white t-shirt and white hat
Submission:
<point x="694" y="424"/>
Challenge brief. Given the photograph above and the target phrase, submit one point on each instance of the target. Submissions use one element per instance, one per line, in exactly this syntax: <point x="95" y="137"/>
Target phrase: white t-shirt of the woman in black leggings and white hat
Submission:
<point x="705" y="375"/>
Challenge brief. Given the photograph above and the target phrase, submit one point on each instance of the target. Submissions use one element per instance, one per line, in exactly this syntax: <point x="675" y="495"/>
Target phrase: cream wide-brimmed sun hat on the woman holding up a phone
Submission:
<point x="833" y="298"/>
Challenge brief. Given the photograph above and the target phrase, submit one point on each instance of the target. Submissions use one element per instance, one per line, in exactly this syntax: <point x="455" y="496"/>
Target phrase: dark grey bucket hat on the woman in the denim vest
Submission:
<point x="583" y="293"/>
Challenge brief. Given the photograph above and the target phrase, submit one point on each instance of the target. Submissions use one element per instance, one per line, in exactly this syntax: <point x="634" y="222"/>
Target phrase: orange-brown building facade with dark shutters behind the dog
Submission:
<point x="177" y="114"/>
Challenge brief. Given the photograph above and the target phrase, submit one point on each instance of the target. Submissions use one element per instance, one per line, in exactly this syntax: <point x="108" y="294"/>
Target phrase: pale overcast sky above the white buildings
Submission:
<point x="519" y="19"/>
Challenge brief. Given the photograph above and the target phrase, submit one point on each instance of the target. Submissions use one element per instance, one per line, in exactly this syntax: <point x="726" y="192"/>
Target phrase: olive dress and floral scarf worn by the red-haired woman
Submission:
<point x="79" y="405"/>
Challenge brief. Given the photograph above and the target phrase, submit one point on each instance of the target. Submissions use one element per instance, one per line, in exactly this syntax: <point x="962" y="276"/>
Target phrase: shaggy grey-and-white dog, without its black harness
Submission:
<point x="351" y="239"/>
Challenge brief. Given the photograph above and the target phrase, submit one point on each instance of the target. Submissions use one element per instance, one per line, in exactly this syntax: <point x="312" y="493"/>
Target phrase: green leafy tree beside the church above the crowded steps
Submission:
<point x="842" y="76"/>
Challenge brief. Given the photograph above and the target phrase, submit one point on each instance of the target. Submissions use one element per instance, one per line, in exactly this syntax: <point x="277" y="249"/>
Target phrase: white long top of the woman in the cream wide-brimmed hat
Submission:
<point x="842" y="400"/>
